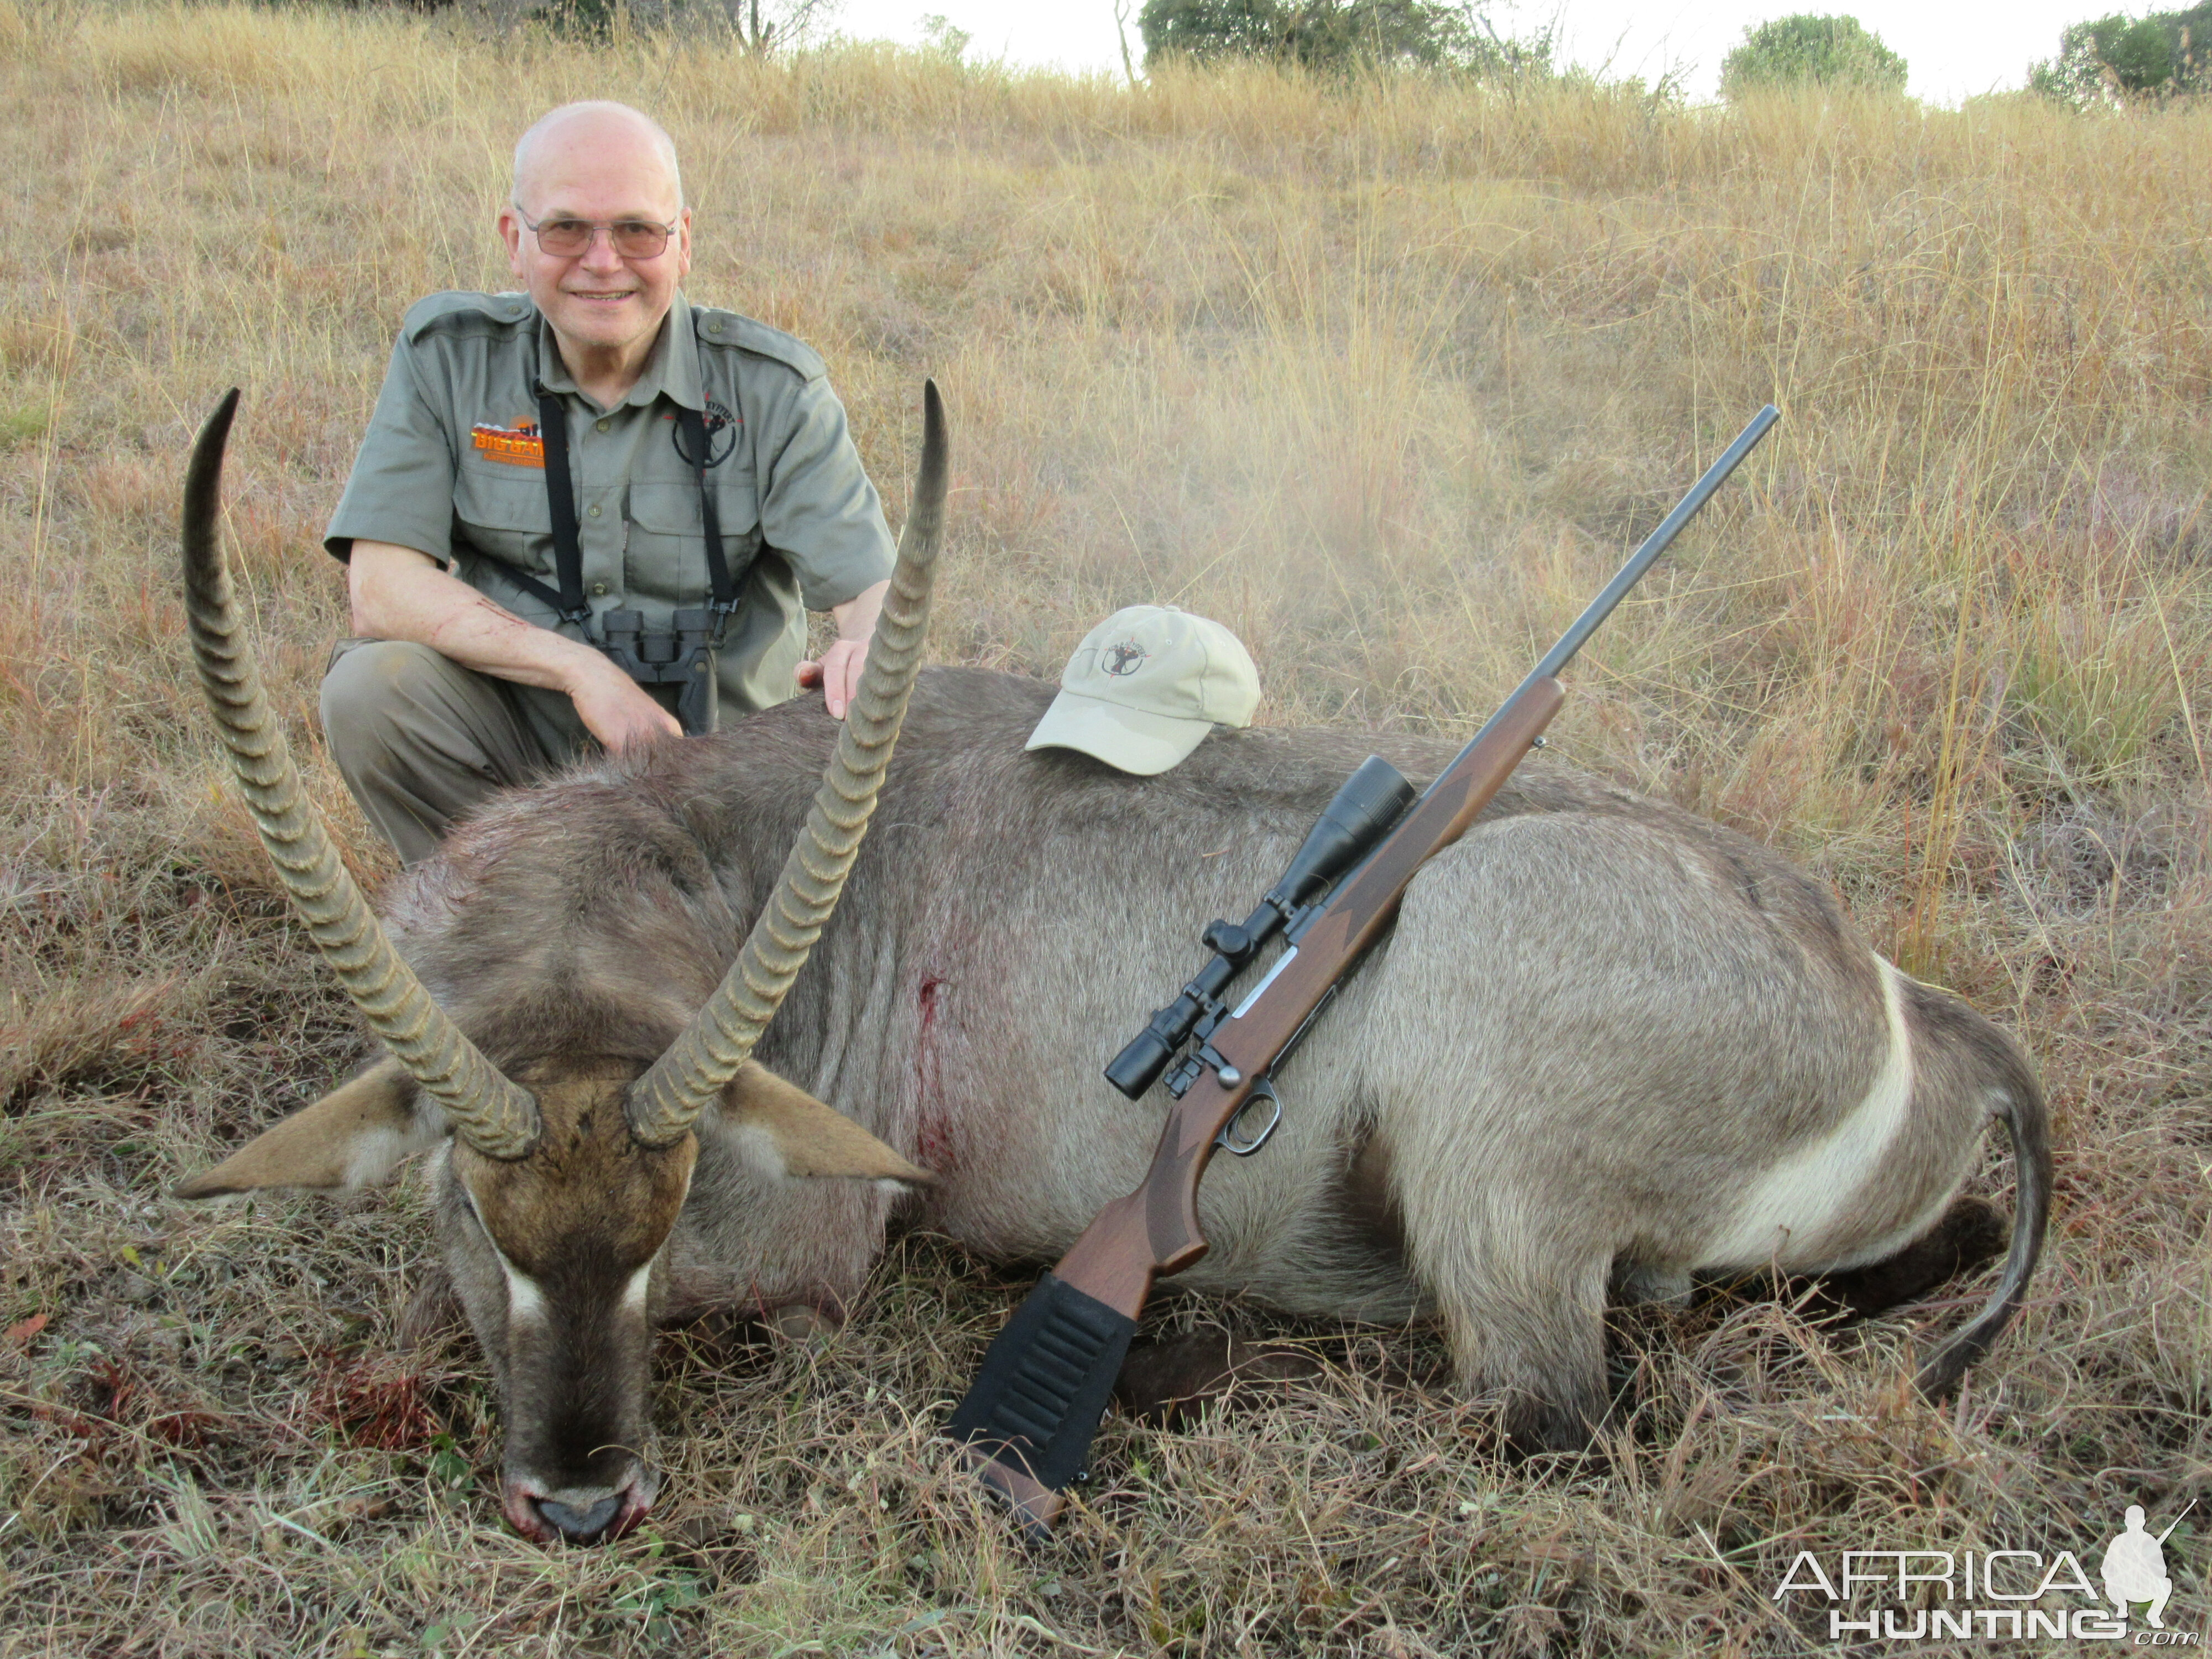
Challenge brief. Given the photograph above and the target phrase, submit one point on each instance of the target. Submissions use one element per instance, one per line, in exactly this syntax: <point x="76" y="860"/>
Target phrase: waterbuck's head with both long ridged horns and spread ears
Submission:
<point x="565" y="1173"/>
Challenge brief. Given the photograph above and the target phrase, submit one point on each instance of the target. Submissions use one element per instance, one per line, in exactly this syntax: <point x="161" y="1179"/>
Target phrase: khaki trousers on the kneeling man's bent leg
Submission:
<point x="424" y="740"/>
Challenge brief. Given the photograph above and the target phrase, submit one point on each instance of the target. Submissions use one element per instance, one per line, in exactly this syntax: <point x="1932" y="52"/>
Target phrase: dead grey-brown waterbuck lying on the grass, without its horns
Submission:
<point x="1609" y="1045"/>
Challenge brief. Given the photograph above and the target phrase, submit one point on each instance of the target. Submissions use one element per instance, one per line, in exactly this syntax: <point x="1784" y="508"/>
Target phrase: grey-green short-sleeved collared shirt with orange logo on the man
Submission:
<point x="452" y="468"/>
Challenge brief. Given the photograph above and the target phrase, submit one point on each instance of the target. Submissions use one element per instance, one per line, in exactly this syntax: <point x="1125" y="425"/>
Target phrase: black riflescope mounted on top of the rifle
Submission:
<point x="1355" y="822"/>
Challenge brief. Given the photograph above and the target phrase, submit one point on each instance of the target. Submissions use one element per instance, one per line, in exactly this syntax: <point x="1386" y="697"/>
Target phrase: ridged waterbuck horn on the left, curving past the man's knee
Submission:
<point x="486" y="1109"/>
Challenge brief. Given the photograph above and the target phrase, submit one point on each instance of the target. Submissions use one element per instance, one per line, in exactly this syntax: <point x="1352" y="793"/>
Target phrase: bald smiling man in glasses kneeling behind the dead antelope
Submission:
<point x="592" y="463"/>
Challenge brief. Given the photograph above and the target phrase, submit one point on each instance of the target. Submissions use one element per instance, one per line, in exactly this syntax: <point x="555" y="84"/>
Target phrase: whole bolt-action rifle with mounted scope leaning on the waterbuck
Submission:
<point x="1045" y="1384"/>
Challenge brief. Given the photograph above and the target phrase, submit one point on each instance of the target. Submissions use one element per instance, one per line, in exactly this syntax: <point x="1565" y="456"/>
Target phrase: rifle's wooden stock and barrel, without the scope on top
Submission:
<point x="1030" y="1417"/>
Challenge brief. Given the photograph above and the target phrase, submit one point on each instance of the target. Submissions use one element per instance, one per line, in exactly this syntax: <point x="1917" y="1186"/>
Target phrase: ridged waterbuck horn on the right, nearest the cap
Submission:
<point x="669" y="1098"/>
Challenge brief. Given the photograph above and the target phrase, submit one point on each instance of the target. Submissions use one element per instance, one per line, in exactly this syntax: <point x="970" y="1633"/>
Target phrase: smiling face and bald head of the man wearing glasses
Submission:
<point x="598" y="165"/>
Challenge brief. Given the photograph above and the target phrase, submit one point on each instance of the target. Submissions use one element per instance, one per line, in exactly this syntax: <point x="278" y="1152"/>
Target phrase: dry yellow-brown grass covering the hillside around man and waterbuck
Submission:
<point x="1386" y="379"/>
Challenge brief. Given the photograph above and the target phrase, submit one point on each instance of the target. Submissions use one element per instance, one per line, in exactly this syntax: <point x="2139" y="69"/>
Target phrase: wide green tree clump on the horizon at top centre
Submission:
<point x="1339" y="34"/>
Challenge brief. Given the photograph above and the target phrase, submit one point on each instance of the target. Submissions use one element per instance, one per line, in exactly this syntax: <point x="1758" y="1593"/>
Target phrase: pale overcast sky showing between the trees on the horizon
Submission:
<point x="1954" y="48"/>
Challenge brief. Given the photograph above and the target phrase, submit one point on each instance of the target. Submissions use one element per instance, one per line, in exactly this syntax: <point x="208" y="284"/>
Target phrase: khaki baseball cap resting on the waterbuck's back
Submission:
<point x="1147" y="687"/>
